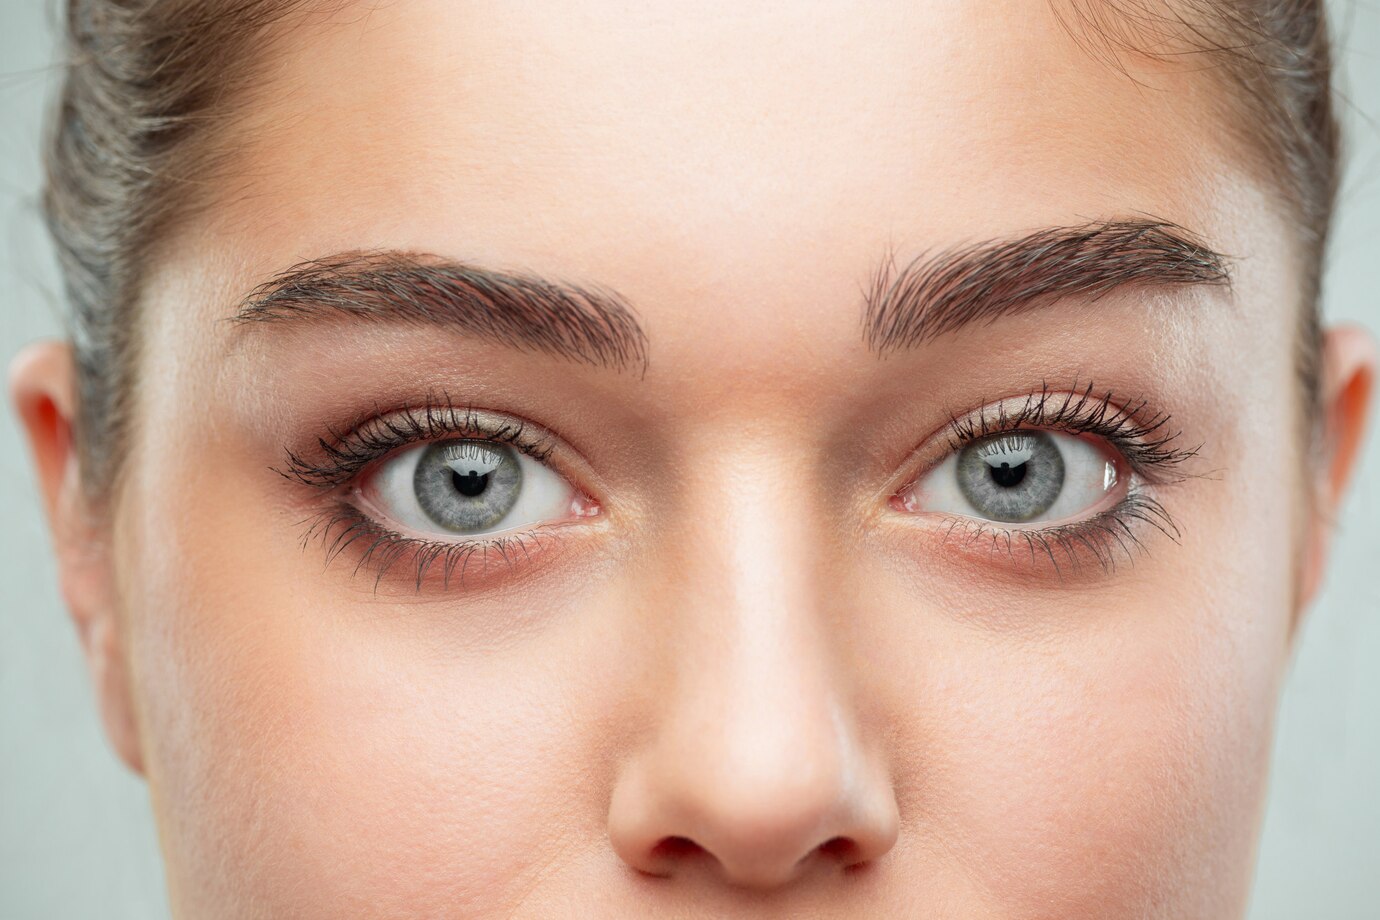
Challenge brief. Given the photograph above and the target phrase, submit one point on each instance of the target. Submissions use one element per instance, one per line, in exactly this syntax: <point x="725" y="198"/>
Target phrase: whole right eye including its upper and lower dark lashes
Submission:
<point x="1058" y="481"/>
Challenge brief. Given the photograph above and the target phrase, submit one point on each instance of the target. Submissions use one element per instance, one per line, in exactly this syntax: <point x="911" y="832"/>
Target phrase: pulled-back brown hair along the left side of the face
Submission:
<point x="147" y="82"/>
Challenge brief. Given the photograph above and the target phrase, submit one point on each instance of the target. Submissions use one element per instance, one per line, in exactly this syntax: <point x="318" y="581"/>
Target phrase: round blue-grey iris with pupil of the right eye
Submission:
<point x="1012" y="478"/>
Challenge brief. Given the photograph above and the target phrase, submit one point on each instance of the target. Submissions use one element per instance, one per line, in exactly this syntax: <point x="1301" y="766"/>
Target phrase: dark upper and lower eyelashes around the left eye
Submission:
<point x="346" y="456"/>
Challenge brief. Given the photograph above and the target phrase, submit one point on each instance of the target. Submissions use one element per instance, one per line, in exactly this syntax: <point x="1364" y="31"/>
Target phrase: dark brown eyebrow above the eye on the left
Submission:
<point x="589" y="325"/>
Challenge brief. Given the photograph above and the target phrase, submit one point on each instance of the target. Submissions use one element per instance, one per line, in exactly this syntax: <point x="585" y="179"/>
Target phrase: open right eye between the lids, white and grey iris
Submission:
<point x="1021" y="477"/>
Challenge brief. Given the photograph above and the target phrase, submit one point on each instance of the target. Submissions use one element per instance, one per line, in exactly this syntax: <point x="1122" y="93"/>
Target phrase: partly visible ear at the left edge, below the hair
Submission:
<point x="43" y="390"/>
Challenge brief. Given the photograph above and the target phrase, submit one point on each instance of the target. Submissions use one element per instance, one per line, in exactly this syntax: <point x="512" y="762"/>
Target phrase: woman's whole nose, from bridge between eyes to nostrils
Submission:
<point x="753" y="770"/>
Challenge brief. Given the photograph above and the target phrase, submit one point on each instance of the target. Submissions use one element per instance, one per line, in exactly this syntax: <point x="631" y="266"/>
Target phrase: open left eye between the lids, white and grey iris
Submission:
<point x="469" y="488"/>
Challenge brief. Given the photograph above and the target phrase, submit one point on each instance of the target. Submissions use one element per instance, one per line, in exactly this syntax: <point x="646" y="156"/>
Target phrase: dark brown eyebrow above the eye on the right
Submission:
<point x="980" y="283"/>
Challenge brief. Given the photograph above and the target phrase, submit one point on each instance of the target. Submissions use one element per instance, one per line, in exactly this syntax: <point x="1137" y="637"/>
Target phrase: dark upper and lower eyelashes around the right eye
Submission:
<point x="1146" y="441"/>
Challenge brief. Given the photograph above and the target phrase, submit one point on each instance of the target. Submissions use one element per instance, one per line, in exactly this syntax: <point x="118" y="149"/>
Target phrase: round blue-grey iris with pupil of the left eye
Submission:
<point x="467" y="486"/>
